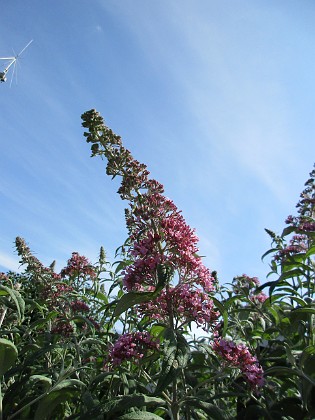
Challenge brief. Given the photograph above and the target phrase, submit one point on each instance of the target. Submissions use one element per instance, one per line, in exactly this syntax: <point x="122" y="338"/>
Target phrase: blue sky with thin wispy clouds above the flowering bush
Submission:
<point x="217" y="97"/>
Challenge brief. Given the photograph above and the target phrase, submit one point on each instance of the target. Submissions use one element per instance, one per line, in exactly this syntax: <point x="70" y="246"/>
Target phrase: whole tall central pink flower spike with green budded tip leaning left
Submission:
<point x="158" y="234"/>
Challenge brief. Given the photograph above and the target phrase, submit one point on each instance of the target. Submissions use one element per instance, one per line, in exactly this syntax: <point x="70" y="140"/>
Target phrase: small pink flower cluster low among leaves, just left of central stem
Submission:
<point x="131" y="346"/>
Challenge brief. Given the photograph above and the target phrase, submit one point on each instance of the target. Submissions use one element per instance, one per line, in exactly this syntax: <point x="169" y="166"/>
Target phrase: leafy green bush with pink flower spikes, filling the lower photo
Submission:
<point x="114" y="341"/>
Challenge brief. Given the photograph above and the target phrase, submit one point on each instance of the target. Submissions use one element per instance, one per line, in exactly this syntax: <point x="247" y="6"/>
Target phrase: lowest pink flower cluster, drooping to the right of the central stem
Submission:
<point x="238" y="355"/>
